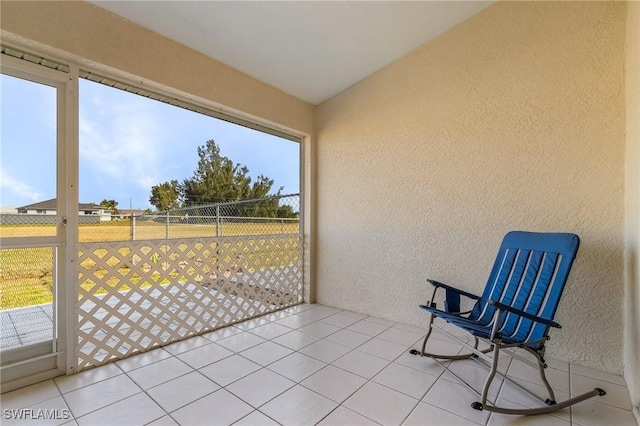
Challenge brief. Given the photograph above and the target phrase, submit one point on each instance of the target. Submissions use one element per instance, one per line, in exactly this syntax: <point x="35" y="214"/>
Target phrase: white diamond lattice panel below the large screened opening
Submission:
<point x="136" y="295"/>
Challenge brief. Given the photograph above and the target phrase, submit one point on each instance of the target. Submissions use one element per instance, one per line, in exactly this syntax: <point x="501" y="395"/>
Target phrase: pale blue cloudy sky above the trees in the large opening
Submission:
<point x="130" y="143"/>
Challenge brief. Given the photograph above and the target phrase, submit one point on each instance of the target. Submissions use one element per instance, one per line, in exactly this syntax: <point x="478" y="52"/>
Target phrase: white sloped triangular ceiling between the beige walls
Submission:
<point x="309" y="49"/>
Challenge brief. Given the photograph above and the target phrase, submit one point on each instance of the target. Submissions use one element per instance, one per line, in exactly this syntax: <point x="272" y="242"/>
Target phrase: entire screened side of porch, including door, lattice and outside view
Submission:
<point x="189" y="220"/>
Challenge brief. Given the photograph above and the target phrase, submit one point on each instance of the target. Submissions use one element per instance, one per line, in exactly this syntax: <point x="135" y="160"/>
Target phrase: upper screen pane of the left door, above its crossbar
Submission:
<point x="27" y="158"/>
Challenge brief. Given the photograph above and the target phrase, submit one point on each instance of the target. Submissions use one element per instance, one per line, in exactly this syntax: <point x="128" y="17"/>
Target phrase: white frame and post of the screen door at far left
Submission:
<point x="60" y="360"/>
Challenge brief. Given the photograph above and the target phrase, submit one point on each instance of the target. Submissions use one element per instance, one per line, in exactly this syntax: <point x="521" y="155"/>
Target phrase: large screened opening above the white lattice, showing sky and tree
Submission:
<point x="154" y="169"/>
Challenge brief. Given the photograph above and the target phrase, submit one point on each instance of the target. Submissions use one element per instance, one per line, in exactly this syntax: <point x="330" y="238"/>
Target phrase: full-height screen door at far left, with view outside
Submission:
<point x="29" y="228"/>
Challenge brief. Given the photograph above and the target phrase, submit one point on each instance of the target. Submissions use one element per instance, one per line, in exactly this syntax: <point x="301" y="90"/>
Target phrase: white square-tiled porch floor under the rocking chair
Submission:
<point x="306" y="365"/>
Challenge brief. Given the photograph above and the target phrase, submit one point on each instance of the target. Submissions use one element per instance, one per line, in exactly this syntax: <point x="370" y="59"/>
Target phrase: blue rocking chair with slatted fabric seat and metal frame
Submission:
<point x="516" y="310"/>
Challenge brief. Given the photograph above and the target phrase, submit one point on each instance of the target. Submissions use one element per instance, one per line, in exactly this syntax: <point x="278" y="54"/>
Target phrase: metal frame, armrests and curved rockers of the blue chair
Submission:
<point x="495" y="345"/>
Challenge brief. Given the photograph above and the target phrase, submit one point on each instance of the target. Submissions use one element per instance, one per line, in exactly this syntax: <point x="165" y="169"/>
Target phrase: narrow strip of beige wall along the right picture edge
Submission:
<point x="632" y="213"/>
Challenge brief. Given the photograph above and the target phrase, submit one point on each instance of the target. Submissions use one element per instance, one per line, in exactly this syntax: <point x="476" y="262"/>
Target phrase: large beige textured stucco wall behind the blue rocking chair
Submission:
<point x="515" y="119"/>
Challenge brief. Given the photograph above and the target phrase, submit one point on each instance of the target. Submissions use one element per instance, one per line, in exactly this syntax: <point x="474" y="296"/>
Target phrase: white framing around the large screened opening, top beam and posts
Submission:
<point x="36" y="64"/>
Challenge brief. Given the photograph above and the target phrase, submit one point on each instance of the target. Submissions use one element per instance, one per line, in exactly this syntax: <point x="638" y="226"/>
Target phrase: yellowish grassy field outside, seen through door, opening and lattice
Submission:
<point x="26" y="273"/>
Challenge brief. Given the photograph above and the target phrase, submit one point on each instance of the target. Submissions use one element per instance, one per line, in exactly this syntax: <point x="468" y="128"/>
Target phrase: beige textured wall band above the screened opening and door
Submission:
<point x="93" y="34"/>
